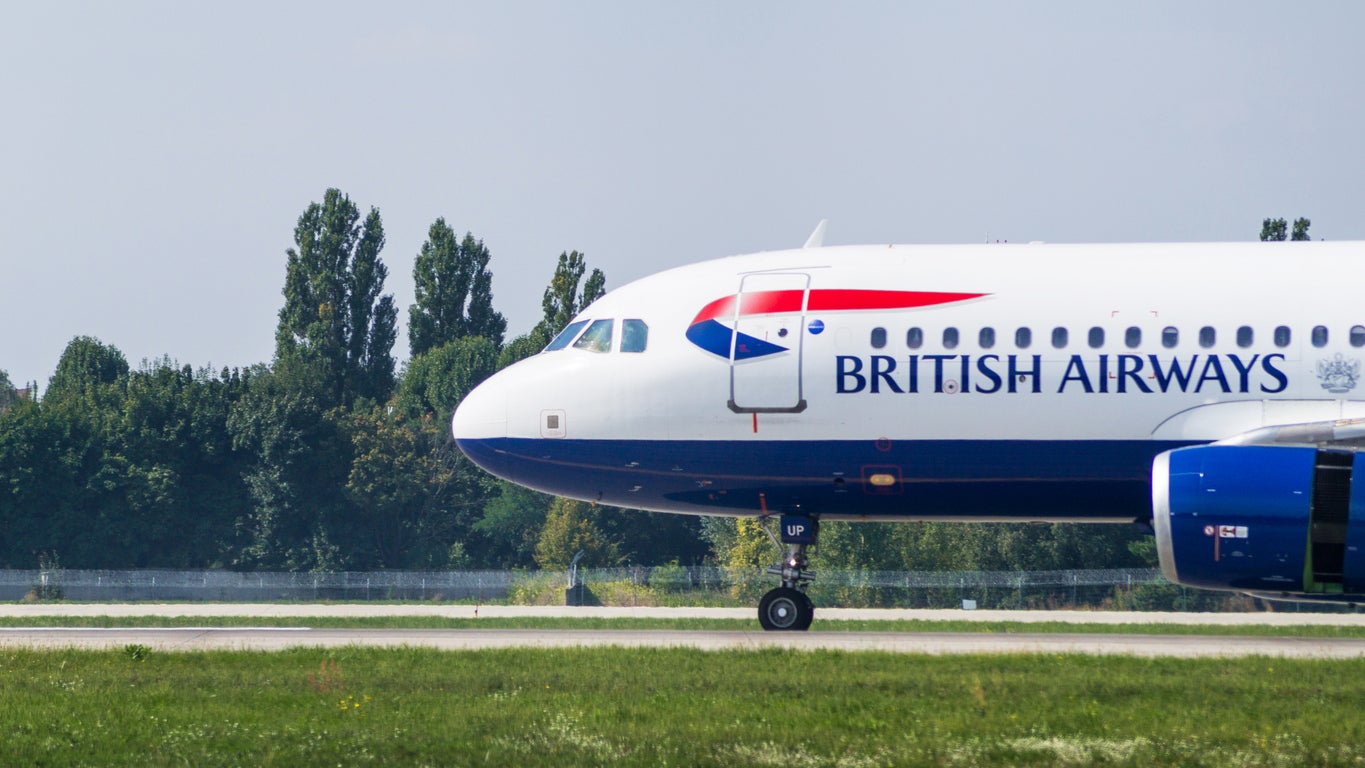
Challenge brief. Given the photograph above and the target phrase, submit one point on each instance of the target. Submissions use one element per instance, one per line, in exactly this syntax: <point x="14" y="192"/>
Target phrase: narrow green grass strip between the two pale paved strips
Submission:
<point x="685" y="624"/>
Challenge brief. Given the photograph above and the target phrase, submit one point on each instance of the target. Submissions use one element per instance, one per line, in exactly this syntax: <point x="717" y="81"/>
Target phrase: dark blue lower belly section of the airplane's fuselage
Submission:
<point x="1063" y="481"/>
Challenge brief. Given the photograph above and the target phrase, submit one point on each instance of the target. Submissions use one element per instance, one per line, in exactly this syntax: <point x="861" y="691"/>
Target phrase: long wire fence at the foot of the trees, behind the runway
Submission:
<point x="640" y="586"/>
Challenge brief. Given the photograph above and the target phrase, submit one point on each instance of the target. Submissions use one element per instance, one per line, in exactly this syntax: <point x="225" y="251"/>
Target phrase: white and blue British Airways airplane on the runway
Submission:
<point x="1207" y="392"/>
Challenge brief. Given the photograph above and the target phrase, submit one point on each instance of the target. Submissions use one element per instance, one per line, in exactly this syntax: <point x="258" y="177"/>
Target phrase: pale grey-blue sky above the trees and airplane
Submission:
<point x="155" y="156"/>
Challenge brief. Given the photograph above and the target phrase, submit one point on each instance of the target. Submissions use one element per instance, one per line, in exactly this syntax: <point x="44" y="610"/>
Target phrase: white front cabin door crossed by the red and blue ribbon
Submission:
<point x="768" y="346"/>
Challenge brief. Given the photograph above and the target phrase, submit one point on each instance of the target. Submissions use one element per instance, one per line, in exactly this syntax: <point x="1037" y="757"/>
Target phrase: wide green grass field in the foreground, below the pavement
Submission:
<point x="675" y="707"/>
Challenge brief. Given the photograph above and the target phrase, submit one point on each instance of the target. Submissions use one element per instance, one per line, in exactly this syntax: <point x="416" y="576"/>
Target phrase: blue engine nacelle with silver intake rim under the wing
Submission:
<point x="1277" y="522"/>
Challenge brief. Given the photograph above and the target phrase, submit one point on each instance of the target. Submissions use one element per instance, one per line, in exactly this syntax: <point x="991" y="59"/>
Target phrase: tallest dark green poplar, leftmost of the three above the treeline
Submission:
<point x="334" y="316"/>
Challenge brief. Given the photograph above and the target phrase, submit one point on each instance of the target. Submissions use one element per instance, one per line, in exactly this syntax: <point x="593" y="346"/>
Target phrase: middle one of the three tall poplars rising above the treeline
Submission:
<point x="454" y="293"/>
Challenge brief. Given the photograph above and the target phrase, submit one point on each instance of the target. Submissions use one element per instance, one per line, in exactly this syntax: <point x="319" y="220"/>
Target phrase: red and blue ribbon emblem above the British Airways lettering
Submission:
<point x="710" y="332"/>
